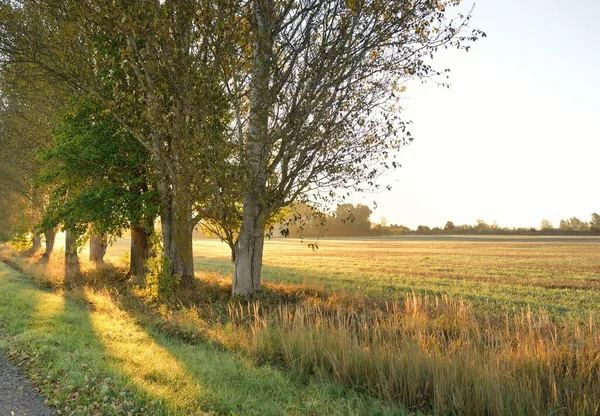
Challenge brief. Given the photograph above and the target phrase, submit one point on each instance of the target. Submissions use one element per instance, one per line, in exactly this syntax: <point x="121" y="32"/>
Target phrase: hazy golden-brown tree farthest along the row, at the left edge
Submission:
<point x="28" y="106"/>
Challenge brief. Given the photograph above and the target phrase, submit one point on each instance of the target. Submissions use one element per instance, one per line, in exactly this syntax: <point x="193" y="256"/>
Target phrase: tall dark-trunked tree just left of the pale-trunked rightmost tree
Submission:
<point x="150" y="69"/>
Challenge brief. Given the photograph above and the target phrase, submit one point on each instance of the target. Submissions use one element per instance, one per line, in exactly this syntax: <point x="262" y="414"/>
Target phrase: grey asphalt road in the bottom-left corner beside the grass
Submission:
<point x="18" y="397"/>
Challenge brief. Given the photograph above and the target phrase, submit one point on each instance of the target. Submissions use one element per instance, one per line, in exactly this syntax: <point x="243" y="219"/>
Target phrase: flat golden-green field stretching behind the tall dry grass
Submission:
<point x="561" y="277"/>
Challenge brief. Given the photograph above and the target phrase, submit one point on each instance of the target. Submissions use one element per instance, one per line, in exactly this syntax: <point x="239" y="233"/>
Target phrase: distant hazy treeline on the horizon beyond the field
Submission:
<point x="355" y="221"/>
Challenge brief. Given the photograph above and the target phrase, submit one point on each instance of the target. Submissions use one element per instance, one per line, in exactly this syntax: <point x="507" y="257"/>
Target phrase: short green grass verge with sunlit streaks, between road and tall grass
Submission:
<point x="91" y="357"/>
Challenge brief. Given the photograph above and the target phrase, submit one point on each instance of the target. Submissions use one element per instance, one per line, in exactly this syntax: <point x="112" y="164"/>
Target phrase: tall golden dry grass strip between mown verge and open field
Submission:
<point x="433" y="354"/>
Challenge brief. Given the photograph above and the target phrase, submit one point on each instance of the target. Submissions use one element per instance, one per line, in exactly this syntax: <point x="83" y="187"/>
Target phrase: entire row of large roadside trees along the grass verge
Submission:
<point x="214" y="114"/>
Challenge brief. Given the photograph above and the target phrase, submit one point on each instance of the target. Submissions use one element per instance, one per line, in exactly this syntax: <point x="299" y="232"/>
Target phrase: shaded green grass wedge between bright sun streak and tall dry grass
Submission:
<point x="235" y="385"/>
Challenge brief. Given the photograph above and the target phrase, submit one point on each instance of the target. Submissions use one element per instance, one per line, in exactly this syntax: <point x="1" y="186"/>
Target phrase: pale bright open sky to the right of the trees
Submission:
<point x="516" y="138"/>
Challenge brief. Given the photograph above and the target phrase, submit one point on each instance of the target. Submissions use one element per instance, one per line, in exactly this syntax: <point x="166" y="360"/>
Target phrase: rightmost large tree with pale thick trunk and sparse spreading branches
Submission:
<point x="318" y="112"/>
